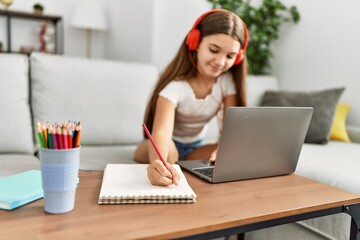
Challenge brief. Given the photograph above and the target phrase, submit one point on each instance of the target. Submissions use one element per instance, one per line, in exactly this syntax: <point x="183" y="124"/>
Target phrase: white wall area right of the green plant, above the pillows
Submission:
<point x="323" y="50"/>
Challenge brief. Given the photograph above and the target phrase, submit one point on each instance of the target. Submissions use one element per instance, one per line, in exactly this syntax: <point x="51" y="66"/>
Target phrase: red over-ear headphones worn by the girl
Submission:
<point x="193" y="37"/>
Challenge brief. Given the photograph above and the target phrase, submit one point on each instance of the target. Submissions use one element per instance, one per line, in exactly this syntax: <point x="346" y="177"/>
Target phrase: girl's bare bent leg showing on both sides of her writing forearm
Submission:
<point x="142" y="152"/>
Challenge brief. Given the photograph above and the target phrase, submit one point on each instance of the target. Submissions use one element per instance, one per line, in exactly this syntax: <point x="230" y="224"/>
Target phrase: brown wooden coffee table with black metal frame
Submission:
<point x="221" y="209"/>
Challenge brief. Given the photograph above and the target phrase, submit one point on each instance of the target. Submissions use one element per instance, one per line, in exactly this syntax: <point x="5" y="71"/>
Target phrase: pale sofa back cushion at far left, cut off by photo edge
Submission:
<point x="16" y="126"/>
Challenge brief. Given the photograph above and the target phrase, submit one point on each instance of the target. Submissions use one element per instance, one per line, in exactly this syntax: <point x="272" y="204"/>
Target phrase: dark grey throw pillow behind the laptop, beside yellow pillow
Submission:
<point x="324" y="104"/>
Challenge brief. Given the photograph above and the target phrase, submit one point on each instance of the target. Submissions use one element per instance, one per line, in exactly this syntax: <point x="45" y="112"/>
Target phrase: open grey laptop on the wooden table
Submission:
<point x="255" y="142"/>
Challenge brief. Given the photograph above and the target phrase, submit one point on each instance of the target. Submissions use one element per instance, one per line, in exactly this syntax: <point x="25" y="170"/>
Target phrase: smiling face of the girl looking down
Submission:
<point x="216" y="54"/>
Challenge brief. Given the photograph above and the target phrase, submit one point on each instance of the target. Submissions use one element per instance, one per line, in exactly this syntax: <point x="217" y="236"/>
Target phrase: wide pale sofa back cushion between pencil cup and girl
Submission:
<point x="107" y="97"/>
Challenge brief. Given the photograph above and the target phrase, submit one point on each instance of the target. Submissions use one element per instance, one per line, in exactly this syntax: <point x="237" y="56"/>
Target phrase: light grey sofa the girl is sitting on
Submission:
<point x="109" y="99"/>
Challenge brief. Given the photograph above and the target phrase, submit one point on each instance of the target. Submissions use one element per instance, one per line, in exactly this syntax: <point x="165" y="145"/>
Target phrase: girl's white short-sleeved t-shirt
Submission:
<point x="192" y="114"/>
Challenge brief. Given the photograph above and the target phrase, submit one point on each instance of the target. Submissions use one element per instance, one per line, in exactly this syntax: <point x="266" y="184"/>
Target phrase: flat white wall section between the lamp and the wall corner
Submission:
<point x="130" y="32"/>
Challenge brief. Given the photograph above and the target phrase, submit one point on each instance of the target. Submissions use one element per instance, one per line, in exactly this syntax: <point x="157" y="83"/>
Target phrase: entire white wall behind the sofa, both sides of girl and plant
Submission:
<point x="322" y="51"/>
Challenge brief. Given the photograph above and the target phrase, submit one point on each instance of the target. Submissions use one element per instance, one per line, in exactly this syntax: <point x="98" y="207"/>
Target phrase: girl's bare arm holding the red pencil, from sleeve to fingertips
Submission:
<point x="162" y="134"/>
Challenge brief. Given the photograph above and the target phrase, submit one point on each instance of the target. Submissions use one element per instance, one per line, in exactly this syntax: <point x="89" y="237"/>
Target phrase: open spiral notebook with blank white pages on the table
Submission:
<point x="128" y="183"/>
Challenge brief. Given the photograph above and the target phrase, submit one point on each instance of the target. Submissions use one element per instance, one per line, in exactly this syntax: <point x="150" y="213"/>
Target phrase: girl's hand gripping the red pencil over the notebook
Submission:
<point x="159" y="175"/>
